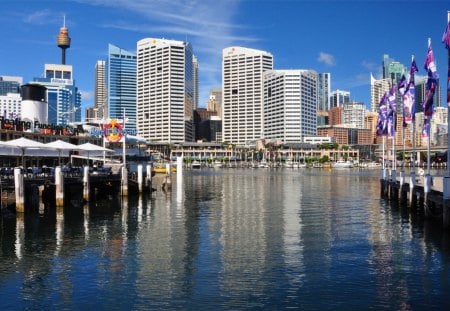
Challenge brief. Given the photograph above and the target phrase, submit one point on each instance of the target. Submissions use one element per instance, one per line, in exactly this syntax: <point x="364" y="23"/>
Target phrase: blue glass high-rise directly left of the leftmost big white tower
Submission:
<point x="121" y="85"/>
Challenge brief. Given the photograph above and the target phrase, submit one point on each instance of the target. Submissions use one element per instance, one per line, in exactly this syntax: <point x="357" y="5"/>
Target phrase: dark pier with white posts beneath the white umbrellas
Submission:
<point x="32" y="187"/>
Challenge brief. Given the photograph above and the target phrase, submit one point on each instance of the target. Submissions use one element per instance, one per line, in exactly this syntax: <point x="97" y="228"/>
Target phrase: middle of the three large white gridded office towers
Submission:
<point x="243" y="93"/>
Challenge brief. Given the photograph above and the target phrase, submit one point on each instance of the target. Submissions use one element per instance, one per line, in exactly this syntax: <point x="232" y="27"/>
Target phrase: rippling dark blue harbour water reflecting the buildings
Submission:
<point x="230" y="239"/>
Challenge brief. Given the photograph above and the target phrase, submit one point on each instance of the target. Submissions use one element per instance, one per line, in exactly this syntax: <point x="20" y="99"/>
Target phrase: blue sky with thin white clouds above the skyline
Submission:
<point x="346" y="38"/>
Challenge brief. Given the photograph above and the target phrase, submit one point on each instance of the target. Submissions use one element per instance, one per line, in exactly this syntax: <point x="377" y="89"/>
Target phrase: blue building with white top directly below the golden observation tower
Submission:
<point x="63" y="96"/>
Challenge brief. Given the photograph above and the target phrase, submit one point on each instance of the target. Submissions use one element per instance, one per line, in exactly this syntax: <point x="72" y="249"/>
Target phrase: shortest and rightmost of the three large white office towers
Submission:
<point x="290" y="105"/>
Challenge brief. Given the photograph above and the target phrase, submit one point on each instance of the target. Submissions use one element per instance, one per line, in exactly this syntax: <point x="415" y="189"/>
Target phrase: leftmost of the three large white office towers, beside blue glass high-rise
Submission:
<point x="165" y="90"/>
